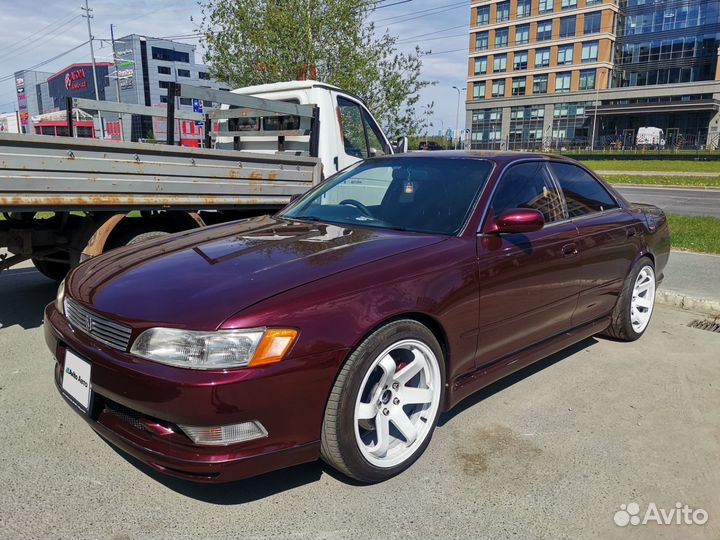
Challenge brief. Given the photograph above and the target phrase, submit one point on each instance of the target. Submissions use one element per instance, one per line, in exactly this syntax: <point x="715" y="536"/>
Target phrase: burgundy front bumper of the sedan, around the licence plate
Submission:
<point x="136" y="402"/>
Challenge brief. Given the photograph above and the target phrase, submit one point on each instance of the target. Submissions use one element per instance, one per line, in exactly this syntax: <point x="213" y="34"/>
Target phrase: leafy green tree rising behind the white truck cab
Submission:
<point x="263" y="41"/>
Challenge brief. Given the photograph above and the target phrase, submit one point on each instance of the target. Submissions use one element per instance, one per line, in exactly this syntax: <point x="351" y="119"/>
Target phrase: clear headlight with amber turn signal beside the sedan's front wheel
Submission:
<point x="221" y="349"/>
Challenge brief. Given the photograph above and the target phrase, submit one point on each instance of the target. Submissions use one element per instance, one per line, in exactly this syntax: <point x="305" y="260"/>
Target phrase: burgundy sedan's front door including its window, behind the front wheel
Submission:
<point x="528" y="283"/>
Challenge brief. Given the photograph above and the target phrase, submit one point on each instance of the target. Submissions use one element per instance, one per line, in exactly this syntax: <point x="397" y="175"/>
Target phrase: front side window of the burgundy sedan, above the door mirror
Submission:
<point x="527" y="185"/>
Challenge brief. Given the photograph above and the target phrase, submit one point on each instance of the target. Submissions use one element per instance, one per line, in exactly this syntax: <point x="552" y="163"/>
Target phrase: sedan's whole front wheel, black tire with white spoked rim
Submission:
<point x="385" y="403"/>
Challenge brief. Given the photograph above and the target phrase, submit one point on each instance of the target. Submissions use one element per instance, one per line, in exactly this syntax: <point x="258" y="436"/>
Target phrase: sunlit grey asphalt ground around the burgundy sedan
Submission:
<point x="552" y="452"/>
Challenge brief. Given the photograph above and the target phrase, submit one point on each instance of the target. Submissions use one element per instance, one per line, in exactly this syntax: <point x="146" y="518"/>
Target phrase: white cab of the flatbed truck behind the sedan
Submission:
<point x="348" y="132"/>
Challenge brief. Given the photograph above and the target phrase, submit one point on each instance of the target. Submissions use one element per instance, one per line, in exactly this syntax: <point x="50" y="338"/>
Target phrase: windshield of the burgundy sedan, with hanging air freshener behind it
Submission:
<point x="431" y="195"/>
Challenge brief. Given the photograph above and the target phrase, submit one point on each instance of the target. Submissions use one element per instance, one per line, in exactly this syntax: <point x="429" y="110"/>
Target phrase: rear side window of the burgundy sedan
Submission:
<point x="583" y="193"/>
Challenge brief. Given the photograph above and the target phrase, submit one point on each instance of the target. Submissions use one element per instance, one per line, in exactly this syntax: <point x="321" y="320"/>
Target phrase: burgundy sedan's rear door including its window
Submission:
<point x="609" y="239"/>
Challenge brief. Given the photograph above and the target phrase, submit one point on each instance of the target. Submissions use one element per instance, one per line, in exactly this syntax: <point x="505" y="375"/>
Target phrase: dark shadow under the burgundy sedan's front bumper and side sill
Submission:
<point x="269" y="484"/>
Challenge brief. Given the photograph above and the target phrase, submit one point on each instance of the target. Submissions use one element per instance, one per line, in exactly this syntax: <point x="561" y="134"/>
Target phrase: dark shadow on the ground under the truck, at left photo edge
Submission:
<point x="25" y="292"/>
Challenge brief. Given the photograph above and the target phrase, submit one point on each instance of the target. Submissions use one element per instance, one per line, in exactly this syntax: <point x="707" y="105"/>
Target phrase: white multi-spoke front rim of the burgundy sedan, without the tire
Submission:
<point x="397" y="403"/>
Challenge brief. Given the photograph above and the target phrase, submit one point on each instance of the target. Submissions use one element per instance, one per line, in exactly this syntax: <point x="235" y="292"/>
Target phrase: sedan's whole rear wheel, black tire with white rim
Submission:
<point x="636" y="303"/>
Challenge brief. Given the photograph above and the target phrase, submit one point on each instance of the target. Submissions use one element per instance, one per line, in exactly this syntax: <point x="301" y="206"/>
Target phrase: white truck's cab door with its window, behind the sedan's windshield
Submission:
<point x="359" y="135"/>
